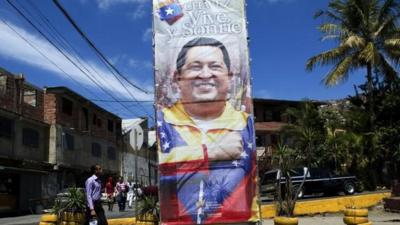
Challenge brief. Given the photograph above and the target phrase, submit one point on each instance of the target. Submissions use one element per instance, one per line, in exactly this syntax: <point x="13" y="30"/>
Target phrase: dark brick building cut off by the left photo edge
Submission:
<point x="24" y="164"/>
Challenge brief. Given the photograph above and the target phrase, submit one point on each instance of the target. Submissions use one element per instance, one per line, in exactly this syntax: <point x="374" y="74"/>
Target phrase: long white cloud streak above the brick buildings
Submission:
<point x="13" y="47"/>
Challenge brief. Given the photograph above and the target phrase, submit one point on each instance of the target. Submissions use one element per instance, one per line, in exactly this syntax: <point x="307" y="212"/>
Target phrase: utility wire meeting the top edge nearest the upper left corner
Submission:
<point x="65" y="55"/>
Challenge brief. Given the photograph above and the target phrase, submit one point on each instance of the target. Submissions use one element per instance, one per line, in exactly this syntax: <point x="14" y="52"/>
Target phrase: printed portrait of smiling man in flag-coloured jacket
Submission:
<point x="207" y="150"/>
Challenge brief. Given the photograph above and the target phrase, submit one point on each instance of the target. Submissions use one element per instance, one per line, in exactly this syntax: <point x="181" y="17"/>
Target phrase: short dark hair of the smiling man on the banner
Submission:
<point x="201" y="41"/>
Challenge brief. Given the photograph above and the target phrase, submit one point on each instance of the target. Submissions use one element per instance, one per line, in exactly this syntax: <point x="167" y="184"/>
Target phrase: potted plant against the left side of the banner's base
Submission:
<point x="149" y="209"/>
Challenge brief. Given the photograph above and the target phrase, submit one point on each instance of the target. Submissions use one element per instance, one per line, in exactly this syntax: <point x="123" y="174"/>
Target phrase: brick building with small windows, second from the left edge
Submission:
<point x="80" y="134"/>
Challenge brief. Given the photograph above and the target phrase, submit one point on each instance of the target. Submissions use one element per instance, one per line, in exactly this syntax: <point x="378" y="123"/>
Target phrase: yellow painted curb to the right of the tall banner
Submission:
<point x="338" y="204"/>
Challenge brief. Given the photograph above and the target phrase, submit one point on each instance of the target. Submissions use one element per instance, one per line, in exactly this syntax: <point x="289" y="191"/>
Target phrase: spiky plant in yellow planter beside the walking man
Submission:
<point x="70" y="206"/>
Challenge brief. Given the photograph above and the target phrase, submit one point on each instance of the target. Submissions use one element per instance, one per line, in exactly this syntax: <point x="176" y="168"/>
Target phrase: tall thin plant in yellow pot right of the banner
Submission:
<point x="287" y="193"/>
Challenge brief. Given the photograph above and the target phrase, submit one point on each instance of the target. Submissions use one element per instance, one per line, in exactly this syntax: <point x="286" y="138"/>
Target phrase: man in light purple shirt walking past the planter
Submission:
<point x="93" y="189"/>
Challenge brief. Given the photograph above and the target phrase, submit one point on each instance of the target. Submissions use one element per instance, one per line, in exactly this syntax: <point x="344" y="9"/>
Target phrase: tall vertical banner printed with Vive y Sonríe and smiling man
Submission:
<point x="205" y="128"/>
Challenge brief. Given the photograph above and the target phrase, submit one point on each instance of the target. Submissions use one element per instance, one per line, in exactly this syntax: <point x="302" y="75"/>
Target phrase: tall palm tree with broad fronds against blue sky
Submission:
<point x="368" y="36"/>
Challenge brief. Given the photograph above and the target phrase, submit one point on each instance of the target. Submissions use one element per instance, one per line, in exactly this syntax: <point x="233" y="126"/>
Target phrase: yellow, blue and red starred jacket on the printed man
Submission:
<point x="194" y="190"/>
